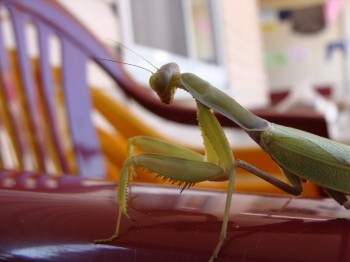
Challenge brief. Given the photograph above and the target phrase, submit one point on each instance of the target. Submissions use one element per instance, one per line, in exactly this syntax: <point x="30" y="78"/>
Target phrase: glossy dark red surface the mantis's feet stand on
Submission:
<point x="56" y="219"/>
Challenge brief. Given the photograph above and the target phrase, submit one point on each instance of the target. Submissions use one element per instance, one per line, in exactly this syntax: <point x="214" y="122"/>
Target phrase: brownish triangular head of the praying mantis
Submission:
<point x="163" y="82"/>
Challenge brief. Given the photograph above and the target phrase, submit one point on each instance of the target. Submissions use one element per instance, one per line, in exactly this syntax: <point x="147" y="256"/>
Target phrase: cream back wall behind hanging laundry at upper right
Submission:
<point x="304" y="54"/>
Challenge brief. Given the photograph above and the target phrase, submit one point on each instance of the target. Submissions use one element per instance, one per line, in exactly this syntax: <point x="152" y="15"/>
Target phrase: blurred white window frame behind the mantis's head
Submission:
<point x="218" y="72"/>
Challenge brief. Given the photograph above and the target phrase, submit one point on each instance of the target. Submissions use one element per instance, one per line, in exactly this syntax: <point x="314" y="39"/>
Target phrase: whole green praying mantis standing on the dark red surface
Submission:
<point x="301" y="155"/>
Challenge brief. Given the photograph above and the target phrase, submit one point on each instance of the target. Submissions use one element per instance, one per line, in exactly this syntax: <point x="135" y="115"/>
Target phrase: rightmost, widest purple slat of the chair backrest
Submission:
<point x="77" y="100"/>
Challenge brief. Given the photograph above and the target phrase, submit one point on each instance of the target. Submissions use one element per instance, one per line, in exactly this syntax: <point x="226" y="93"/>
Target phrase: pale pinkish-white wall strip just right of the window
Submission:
<point x="244" y="50"/>
